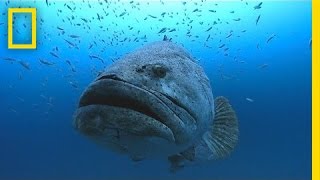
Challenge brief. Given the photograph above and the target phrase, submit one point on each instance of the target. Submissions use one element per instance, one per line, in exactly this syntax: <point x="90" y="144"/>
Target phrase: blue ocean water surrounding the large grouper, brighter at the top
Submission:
<point x="265" y="73"/>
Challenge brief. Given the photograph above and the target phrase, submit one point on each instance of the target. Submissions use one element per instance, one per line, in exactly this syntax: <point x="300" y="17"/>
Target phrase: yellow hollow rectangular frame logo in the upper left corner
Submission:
<point x="33" y="12"/>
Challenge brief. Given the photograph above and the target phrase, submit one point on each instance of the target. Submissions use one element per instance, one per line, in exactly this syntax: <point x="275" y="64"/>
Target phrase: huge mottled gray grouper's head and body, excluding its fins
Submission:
<point x="154" y="101"/>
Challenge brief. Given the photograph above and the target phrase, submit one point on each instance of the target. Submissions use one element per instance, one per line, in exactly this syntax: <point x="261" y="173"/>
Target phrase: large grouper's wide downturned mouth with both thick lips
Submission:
<point x="114" y="103"/>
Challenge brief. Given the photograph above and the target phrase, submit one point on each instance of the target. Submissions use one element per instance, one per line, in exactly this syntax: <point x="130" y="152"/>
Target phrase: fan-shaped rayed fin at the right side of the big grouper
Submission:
<point x="223" y="135"/>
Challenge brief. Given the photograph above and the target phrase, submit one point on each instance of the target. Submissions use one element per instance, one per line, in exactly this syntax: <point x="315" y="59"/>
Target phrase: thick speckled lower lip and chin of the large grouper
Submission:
<point x="97" y="120"/>
